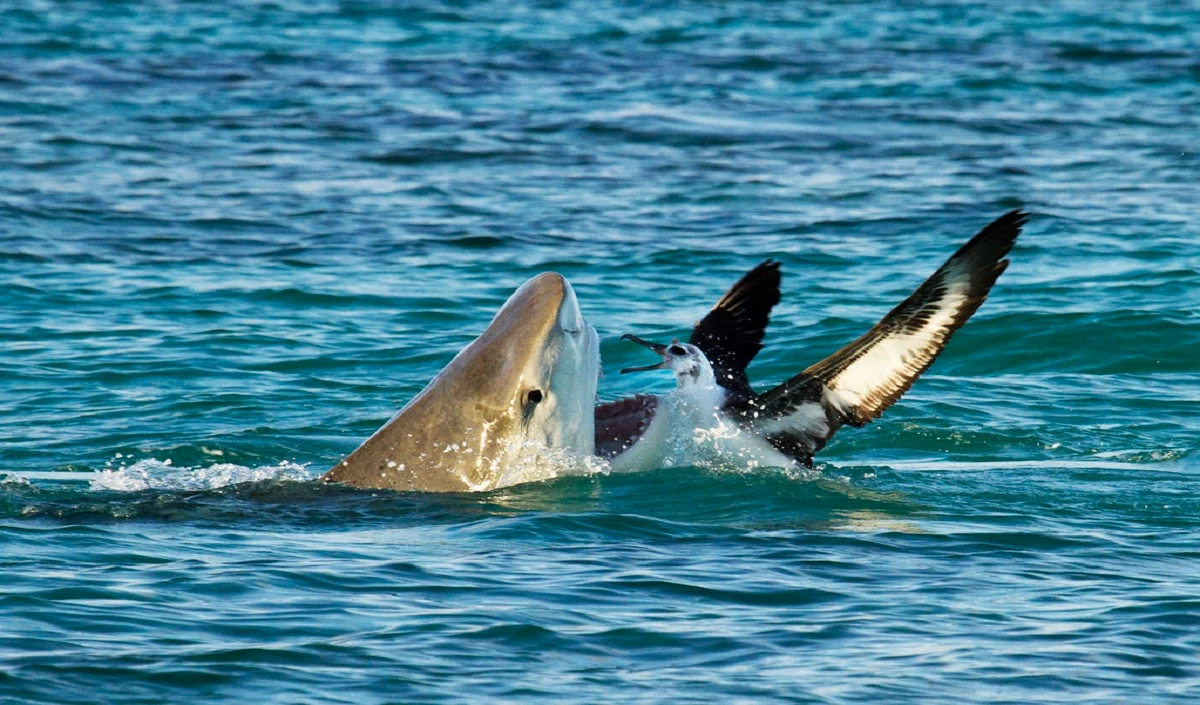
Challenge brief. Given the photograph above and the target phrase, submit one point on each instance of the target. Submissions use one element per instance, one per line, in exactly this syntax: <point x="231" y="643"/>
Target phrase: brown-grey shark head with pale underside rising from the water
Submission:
<point x="525" y="387"/>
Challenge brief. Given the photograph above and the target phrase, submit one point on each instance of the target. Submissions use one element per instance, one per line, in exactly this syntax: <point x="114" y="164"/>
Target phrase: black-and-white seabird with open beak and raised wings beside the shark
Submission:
<point x="715" y="412"/>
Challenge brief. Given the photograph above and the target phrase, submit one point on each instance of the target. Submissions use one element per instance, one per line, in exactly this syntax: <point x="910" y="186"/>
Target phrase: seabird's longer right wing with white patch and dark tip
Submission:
<point x="859" y="383"/>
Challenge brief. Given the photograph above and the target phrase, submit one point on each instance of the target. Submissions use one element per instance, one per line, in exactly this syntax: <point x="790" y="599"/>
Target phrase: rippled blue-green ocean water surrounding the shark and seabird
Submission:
<point x="236" y="238"/>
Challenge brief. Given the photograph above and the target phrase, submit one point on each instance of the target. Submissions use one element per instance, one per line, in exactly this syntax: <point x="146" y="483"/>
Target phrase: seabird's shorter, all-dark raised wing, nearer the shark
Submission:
<point x="731" y="334"/>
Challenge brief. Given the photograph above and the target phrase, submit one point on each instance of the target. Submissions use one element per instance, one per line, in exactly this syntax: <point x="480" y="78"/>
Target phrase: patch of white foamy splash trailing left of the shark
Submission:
<point x="154" y="474"/>
